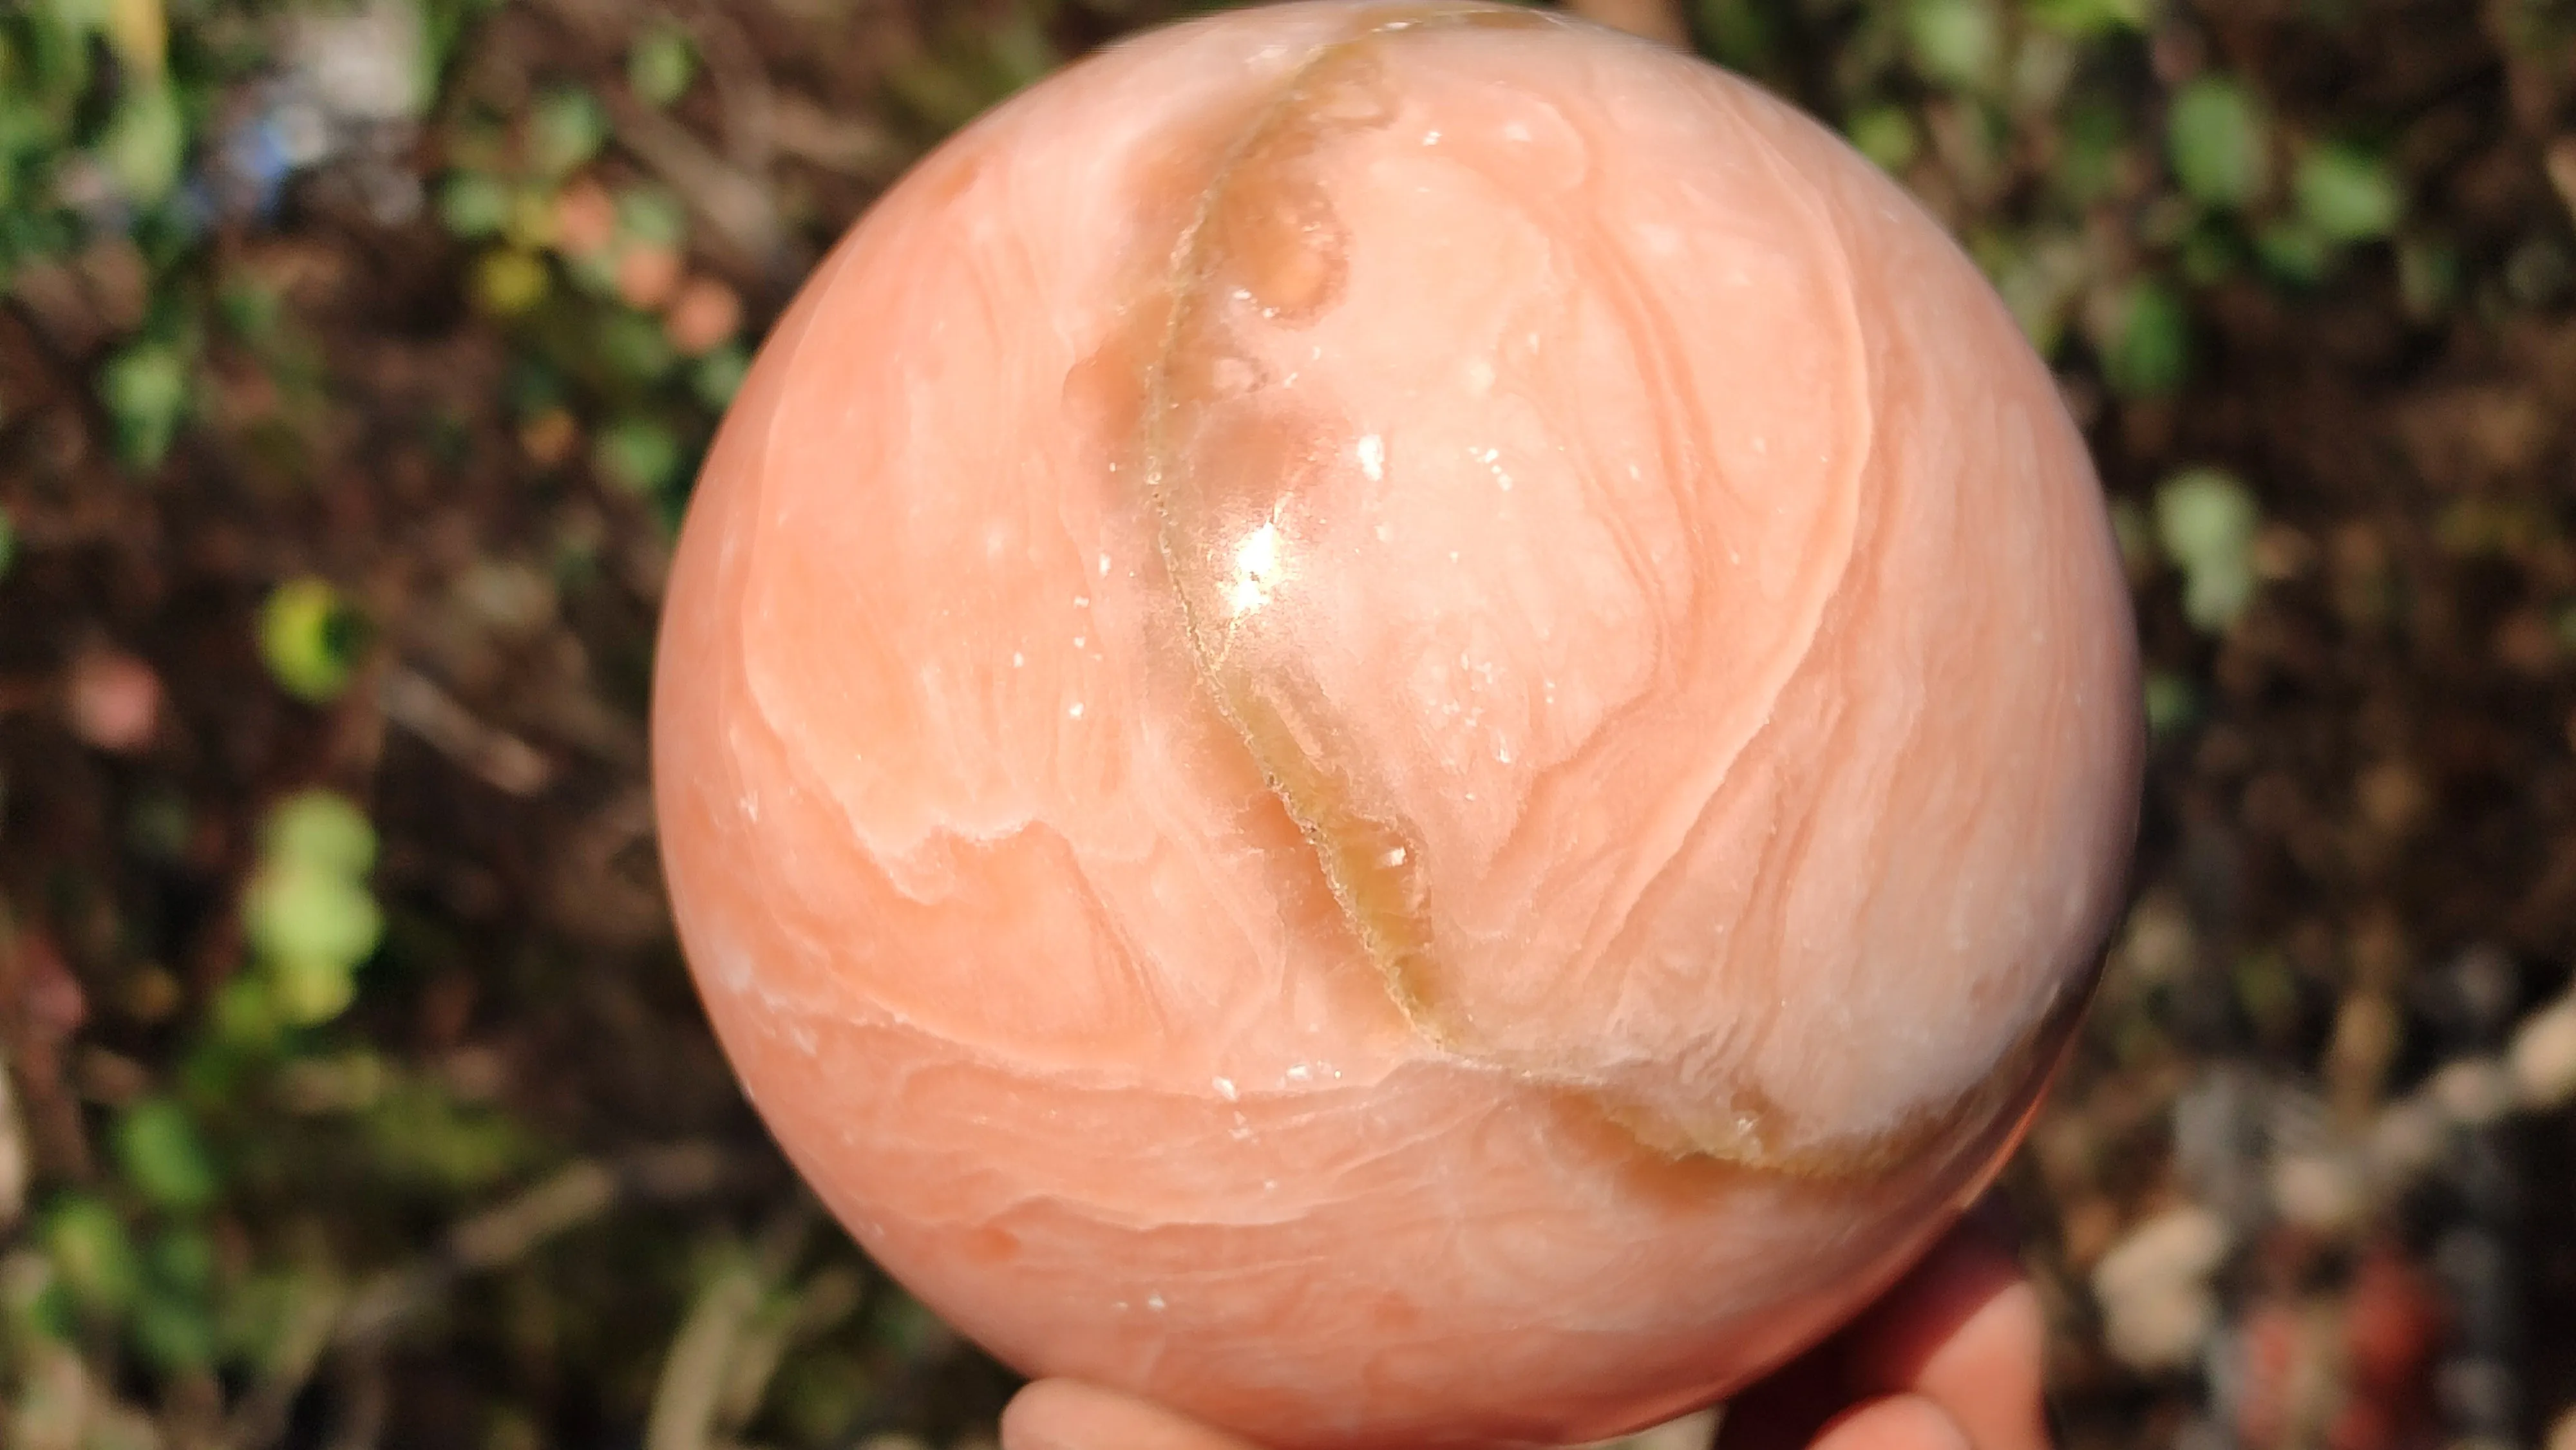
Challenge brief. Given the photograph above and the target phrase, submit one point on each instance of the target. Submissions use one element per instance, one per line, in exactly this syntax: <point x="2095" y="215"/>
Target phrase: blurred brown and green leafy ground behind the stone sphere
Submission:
<point x="354" y="367"/>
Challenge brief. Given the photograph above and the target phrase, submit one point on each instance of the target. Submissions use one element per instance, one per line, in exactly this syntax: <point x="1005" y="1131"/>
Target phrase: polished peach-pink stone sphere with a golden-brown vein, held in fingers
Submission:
<point x="1397" y="722"/>
